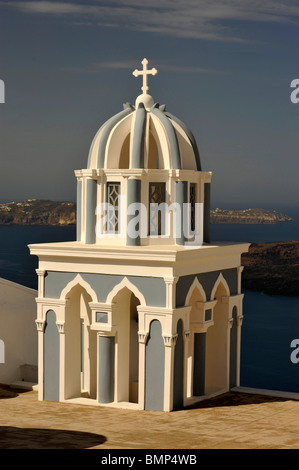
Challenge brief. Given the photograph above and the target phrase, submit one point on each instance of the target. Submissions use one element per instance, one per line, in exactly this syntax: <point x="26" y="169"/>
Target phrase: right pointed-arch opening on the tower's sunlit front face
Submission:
<point x="125" y="317"/>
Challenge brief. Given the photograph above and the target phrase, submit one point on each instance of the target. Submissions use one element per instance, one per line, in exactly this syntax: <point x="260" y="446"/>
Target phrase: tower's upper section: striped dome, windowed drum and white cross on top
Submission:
<point x="145" y="160"/>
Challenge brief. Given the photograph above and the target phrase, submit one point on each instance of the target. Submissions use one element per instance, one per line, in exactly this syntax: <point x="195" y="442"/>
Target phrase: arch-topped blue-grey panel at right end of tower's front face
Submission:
<point x="154" y="368"/>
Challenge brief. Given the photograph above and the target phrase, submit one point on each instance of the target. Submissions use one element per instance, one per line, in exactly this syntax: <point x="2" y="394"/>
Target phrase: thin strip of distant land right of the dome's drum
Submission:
<point x="247" y="216"/>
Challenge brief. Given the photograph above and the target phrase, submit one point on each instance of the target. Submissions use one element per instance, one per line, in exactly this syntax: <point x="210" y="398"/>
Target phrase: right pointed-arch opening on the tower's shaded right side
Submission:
<point x="217" y="346"/>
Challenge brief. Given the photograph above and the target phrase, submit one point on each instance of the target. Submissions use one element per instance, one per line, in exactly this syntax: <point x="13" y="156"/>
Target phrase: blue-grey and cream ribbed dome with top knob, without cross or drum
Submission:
<point x="144" y="136"/>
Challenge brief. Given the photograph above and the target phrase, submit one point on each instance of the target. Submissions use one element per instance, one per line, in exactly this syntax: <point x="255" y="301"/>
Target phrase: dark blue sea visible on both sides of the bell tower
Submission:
<point x="270" y="324"/>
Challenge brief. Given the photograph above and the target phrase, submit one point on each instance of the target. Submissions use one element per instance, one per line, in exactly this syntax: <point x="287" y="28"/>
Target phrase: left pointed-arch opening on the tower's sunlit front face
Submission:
<point x="80" y="346"/>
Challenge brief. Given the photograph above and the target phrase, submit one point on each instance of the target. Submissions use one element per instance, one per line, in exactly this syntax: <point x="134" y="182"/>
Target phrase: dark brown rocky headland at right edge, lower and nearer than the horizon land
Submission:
<point x="272" y="268"/>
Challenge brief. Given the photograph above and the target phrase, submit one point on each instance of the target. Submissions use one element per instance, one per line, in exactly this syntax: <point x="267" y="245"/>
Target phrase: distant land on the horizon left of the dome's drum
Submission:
<point x="38" y="212"/>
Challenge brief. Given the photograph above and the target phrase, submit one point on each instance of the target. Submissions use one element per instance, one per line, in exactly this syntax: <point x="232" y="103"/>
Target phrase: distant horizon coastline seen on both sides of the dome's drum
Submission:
<point x="44" y="212"/>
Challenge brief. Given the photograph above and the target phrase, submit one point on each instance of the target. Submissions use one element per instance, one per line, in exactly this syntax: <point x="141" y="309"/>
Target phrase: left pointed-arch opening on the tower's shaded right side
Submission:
<point x="197" y="343"/>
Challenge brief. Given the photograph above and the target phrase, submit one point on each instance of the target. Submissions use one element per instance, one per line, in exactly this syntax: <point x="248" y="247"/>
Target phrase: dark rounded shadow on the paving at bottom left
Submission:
<point x="28" y="438"/>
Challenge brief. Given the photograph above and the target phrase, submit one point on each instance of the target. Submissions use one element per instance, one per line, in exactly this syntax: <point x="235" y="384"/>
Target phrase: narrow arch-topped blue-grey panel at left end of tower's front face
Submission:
<point x="51" y="358"/>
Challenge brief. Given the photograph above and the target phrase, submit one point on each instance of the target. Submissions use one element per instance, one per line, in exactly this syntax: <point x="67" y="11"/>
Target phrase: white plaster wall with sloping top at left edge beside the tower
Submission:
<point x="17" y="329"/>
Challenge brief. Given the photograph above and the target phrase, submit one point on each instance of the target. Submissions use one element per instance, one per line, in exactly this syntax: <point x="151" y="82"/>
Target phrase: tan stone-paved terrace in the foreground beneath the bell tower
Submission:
<point x="232" y="421"/>
